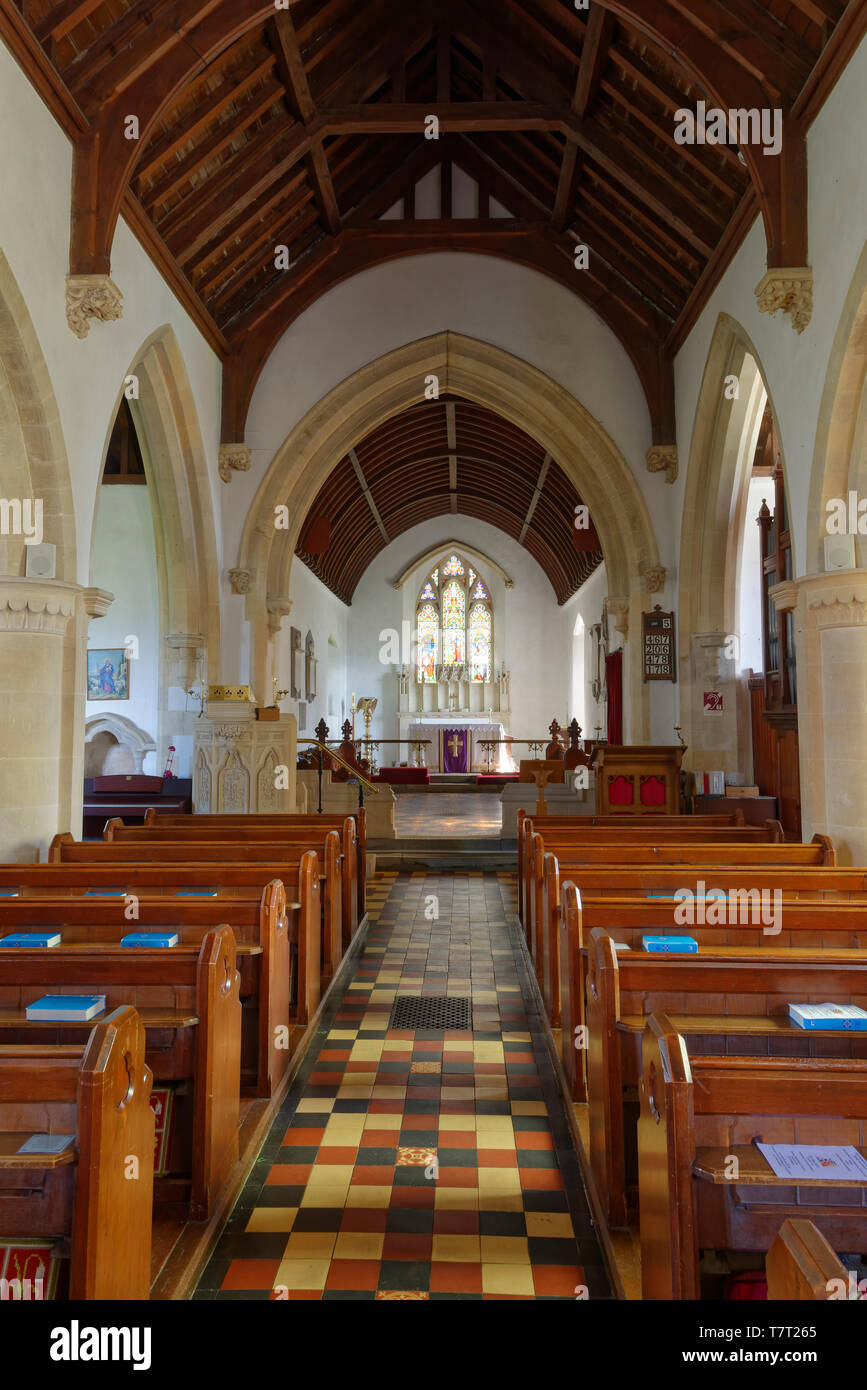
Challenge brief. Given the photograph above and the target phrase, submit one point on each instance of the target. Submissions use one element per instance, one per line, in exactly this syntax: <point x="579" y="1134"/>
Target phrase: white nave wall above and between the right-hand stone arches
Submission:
<point x="794" y="365"/>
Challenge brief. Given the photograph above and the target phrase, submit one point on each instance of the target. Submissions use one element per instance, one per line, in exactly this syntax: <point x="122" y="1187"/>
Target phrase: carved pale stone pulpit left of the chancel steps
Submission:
<point x="238" y="760"/>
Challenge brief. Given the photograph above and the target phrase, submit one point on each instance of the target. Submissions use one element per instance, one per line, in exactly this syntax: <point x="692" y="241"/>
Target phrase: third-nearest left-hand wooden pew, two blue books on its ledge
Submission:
<point x="267" y="935"/>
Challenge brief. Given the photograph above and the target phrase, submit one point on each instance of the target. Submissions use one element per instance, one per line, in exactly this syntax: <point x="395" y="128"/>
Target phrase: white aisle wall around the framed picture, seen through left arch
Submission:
<point x="126" y="562"/>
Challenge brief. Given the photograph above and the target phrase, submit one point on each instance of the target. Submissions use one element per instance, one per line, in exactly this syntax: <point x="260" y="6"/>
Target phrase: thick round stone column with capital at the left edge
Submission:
<point x="40" y="679"/>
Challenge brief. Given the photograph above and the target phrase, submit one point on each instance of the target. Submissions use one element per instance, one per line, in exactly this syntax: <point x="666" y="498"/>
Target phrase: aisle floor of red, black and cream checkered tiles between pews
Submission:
<point x="429" y="1164"/>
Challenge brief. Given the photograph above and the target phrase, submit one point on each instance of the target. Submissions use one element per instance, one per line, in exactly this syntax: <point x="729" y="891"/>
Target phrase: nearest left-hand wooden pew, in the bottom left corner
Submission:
<point x="98" y="1092"/>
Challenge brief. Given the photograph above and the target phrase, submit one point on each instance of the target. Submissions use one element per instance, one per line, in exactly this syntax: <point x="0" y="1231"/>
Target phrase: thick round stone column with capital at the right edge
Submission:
<point x="832" y="668"/>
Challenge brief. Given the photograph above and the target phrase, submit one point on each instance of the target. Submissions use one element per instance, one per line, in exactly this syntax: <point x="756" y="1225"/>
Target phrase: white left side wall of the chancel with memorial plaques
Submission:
<point x="316" y="610"/>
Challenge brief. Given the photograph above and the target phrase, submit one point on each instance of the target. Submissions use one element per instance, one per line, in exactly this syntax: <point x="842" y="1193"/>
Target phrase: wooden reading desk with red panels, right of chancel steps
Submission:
<point x="638" y="779"/>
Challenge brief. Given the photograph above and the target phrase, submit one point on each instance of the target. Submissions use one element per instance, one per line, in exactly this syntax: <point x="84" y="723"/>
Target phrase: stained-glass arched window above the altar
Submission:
<point x="455" y="622"/>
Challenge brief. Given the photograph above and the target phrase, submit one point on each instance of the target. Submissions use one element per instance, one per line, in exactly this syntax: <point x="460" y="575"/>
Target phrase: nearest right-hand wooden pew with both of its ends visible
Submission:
<point x="547" y="871"/>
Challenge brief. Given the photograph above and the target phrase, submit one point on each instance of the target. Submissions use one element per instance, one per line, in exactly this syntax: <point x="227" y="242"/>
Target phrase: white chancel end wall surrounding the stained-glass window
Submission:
<point x="529" y="626"/>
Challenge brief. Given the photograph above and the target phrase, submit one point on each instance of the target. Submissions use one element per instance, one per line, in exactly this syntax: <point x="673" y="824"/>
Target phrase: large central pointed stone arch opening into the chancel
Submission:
<point x="488" y="376"/>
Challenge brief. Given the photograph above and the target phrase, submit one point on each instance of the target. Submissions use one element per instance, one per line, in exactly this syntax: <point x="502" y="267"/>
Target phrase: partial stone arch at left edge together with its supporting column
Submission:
<point x="42" y="622"/>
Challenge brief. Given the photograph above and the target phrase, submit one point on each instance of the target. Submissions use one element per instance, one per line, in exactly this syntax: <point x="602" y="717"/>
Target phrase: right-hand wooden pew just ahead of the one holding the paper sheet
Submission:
<point x="727" y="999"/>
